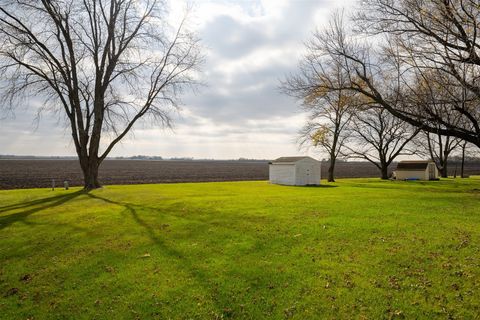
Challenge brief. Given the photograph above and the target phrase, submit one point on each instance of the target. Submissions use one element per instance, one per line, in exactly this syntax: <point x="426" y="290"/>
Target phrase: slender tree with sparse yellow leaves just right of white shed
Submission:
<point x="328" y="111"/>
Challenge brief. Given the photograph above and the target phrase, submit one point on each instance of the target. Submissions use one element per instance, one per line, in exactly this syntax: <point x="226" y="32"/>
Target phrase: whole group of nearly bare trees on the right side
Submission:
<point x="396" y="78"/>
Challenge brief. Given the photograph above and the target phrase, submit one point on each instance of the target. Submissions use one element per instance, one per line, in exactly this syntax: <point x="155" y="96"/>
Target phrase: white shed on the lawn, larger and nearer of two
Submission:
<point x="295" y="171"/>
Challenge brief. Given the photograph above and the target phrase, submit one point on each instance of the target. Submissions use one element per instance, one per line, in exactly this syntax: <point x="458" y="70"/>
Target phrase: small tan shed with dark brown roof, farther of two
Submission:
<point x="416" y="170"/>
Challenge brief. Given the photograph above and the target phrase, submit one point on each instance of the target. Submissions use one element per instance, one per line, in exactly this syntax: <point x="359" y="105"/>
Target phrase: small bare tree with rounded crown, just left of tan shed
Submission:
<point x="379" y="137"/>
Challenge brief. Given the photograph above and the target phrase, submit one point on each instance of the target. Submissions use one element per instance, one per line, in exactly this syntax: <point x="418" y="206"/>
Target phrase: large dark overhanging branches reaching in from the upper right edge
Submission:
<point x="398" y="43"/>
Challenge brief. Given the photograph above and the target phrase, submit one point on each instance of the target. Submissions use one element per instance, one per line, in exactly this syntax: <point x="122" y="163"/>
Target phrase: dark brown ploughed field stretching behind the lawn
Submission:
<point x="40" y="173"/>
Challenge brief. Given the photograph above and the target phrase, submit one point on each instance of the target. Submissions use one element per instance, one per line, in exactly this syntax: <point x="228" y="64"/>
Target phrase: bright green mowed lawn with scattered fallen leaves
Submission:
<point x="358" y="248"/>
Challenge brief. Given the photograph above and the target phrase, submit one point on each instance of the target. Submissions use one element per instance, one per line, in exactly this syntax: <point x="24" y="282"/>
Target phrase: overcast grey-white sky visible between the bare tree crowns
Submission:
<point x="249" y="46"/>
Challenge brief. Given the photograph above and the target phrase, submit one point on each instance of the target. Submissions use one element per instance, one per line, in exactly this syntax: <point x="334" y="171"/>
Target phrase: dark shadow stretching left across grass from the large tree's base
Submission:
<point x="31" y="207"/>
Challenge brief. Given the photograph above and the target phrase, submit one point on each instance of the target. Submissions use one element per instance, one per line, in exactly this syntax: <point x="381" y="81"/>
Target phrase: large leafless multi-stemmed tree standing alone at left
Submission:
<point x="104" y="65"/>
